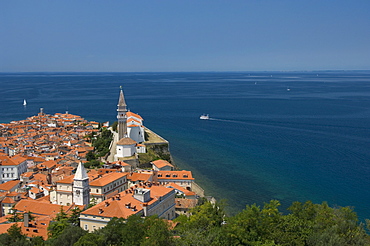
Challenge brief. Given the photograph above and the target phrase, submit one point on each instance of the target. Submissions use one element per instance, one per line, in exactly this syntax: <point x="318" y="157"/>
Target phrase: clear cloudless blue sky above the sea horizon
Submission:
<point x="140" y="36"/>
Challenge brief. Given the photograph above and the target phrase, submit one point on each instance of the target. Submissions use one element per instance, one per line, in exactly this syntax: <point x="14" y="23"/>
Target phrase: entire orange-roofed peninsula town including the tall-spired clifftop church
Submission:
<point x="62" y="162"/>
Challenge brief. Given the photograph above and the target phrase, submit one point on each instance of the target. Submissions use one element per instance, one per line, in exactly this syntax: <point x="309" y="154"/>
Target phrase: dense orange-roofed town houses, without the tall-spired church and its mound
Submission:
<point x="42" y="174"/>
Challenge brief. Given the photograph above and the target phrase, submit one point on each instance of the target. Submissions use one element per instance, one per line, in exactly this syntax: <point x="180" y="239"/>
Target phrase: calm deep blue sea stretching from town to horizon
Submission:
<point x="293" y="136"/>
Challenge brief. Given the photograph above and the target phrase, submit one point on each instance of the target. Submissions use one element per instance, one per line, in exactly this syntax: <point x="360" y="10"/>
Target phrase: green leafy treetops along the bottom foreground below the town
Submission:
<point x="305" y="224"/>
